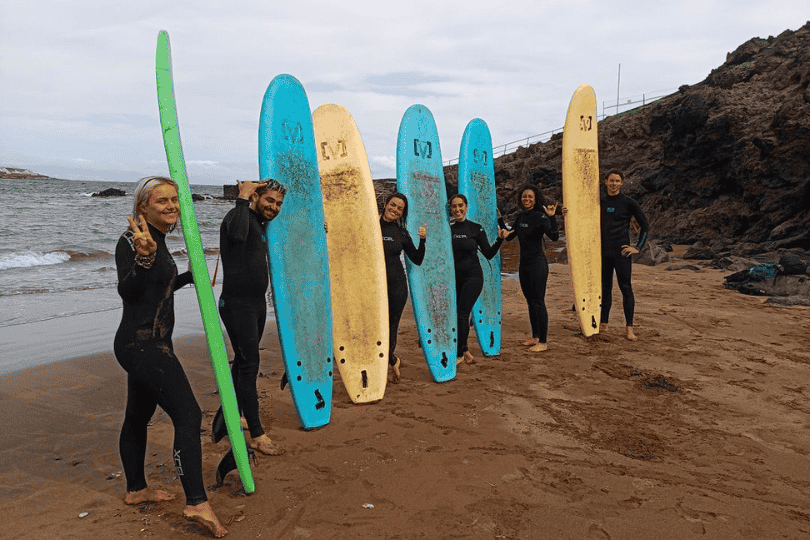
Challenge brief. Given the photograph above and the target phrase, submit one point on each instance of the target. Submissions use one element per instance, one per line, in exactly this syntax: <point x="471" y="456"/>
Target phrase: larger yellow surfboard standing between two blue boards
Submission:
<point x="356" y="260"/>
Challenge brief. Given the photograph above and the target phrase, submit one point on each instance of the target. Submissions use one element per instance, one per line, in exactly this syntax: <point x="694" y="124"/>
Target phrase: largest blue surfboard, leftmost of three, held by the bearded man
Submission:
<point x="296" y="245"/>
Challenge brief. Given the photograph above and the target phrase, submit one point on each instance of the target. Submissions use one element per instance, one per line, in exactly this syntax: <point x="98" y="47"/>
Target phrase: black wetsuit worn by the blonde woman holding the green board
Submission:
<point x="143" y="347"/>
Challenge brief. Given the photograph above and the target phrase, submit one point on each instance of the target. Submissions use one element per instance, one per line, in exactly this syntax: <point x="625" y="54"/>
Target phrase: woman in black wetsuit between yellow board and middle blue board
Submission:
<point x="396" y="240"/>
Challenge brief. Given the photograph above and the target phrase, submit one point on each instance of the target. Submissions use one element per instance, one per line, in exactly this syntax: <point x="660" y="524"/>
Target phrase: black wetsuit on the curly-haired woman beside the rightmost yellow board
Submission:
<point x="529" y="228"/>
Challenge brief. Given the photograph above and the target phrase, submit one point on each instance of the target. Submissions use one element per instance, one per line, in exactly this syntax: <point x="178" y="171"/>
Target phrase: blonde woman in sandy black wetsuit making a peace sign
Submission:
<point x="147" y="279"/>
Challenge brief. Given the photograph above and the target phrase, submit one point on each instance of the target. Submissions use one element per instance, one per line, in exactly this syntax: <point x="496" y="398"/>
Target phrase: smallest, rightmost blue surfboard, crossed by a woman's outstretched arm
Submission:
<point x="476" y="181"/>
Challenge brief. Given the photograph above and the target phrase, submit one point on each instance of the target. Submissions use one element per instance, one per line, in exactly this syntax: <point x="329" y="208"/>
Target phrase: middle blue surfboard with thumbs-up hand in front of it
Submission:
<point x="420" y="177"/>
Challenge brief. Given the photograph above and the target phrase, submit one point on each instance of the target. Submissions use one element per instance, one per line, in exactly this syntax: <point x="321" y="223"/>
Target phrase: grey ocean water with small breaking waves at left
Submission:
<point x="57" y="246"/>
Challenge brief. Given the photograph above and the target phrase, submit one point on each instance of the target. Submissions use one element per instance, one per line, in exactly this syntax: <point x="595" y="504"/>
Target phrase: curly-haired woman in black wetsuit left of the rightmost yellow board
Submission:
<point x="533" y="222"/>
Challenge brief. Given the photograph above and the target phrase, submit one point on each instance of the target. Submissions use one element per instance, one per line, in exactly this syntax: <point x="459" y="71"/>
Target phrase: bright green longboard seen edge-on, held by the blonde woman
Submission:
<point x="202" y="281"/>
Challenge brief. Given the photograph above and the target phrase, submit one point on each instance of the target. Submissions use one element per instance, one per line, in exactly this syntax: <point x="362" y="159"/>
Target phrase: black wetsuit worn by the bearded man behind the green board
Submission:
<point x="242" y="304"/>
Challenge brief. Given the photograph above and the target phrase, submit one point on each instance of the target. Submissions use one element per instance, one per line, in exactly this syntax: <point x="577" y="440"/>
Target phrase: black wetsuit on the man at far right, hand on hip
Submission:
<point x="616" y="213"/>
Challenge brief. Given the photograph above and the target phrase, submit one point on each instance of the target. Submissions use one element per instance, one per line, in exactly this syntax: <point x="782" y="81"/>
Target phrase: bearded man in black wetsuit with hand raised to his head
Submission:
<point x="243" y="304"/>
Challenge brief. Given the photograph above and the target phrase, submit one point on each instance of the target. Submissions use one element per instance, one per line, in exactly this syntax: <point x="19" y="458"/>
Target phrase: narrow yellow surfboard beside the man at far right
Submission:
<point x="580" y="167"/>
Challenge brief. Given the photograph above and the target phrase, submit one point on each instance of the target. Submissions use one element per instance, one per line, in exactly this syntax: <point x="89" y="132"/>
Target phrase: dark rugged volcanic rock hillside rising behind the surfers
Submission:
<point x="725" y="161"/>
